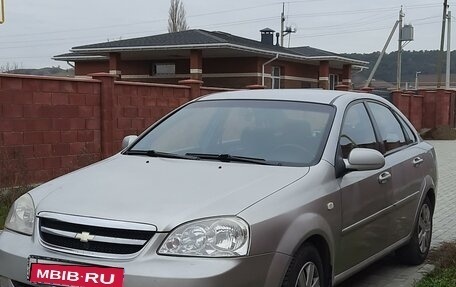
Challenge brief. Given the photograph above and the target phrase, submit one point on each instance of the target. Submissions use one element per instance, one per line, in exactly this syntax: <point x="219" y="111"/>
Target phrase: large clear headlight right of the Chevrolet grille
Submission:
<point x="213" y="237"/>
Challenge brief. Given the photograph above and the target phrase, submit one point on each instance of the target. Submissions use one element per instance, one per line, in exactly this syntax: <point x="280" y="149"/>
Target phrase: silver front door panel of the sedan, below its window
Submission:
<point x="365" y="221"/>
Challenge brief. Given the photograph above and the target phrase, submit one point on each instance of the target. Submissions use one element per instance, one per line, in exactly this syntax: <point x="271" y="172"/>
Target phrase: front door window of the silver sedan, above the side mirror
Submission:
<point x="357" y="130"/>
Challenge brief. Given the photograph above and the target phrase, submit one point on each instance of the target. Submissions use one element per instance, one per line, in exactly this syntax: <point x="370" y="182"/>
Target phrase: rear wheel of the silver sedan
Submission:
<point x="417" y="249"/>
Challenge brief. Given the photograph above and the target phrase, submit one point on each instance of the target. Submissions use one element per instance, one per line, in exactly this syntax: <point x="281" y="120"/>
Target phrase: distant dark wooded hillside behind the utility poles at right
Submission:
<point x="412" y="62"/>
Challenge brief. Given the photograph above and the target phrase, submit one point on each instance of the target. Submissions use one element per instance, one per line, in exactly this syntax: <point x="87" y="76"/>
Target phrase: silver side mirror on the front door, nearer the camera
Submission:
<point x="364" y="159"/>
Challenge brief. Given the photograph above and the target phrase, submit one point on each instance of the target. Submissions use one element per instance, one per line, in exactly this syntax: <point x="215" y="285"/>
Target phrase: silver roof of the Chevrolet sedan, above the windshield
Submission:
<point x="301" y="95"/>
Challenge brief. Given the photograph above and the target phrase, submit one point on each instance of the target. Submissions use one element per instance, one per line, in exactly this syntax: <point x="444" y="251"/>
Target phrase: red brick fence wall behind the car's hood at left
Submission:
<point x="50" y="126"/>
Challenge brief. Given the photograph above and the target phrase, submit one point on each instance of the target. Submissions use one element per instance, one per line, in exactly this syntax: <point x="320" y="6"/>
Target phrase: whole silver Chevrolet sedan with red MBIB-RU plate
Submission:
<point x="244" y="188"/>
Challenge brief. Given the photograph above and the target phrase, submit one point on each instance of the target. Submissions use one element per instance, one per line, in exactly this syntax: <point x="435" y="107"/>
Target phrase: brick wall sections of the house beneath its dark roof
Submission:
<point x="233" y="73"/>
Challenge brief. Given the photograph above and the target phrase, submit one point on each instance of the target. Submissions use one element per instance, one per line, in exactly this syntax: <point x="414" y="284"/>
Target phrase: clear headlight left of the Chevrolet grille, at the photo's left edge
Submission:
<point x="21" y="217"/>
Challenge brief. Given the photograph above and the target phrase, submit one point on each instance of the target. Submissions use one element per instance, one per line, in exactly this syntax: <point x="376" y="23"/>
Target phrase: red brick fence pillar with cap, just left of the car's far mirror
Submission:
<point x="106" y="113"/>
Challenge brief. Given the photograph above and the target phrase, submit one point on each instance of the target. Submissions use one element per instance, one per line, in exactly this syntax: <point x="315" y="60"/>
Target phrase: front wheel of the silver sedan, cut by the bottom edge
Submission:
<point x="306" y="269"/>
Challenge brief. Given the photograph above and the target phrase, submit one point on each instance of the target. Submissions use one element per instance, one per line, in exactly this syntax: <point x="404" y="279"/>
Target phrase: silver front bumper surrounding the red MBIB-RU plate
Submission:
<point x="148" y="268"/>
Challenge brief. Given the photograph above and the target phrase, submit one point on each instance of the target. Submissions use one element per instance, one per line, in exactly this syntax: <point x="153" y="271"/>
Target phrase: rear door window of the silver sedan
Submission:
<point x="391" y="133"/>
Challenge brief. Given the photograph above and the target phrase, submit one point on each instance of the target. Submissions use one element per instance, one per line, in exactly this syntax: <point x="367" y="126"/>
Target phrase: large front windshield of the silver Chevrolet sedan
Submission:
<point x="276" y="132"/>
